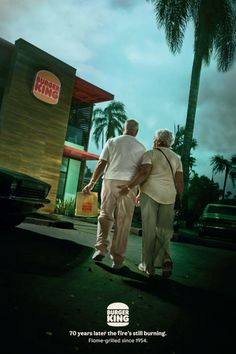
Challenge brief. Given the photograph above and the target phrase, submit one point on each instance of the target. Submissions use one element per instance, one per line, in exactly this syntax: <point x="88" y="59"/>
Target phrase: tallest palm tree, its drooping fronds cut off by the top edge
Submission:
<point x="215" y="30"/>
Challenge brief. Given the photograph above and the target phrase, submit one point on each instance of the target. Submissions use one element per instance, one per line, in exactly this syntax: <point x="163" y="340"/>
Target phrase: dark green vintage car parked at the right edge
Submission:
<point x="218" y="220"/>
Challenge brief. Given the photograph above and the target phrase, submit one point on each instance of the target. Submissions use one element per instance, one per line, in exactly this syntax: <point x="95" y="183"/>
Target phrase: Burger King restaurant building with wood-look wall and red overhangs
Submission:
<point x="45" y="118"/>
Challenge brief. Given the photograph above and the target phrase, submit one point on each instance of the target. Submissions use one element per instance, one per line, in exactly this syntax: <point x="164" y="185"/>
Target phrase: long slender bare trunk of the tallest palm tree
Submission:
<point x="191" y="112"/>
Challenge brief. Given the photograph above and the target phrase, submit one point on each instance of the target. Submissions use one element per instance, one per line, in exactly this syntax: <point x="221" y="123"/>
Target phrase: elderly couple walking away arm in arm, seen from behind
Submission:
<point x="132" y="174"/>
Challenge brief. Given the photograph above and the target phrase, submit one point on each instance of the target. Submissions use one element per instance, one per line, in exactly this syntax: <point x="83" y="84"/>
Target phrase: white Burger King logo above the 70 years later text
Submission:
<point x="117" y="314"/>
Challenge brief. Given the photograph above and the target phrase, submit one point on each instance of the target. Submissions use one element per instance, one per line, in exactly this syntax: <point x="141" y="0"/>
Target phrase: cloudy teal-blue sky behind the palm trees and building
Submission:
<point x="116" y="45"/>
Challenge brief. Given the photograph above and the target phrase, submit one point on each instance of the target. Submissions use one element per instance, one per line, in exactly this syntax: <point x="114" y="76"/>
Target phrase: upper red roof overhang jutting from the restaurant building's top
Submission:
<point x="89" y="93"/>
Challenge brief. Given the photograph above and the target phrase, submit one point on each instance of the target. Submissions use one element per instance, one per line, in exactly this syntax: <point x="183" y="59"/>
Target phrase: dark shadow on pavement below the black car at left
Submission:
<point x="29" y="252"/>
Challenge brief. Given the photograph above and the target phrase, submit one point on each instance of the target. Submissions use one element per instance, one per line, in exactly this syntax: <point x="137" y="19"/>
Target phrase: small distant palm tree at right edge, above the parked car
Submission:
<point x="220" y="164"/>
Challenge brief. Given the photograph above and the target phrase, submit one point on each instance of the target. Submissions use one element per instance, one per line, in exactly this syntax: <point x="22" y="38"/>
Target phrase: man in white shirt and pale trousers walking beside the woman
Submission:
<point x="119" y="160"/>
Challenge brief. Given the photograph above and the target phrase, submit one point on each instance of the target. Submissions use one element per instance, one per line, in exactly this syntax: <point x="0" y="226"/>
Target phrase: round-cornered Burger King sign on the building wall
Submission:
<point x="47" y="87"/>
